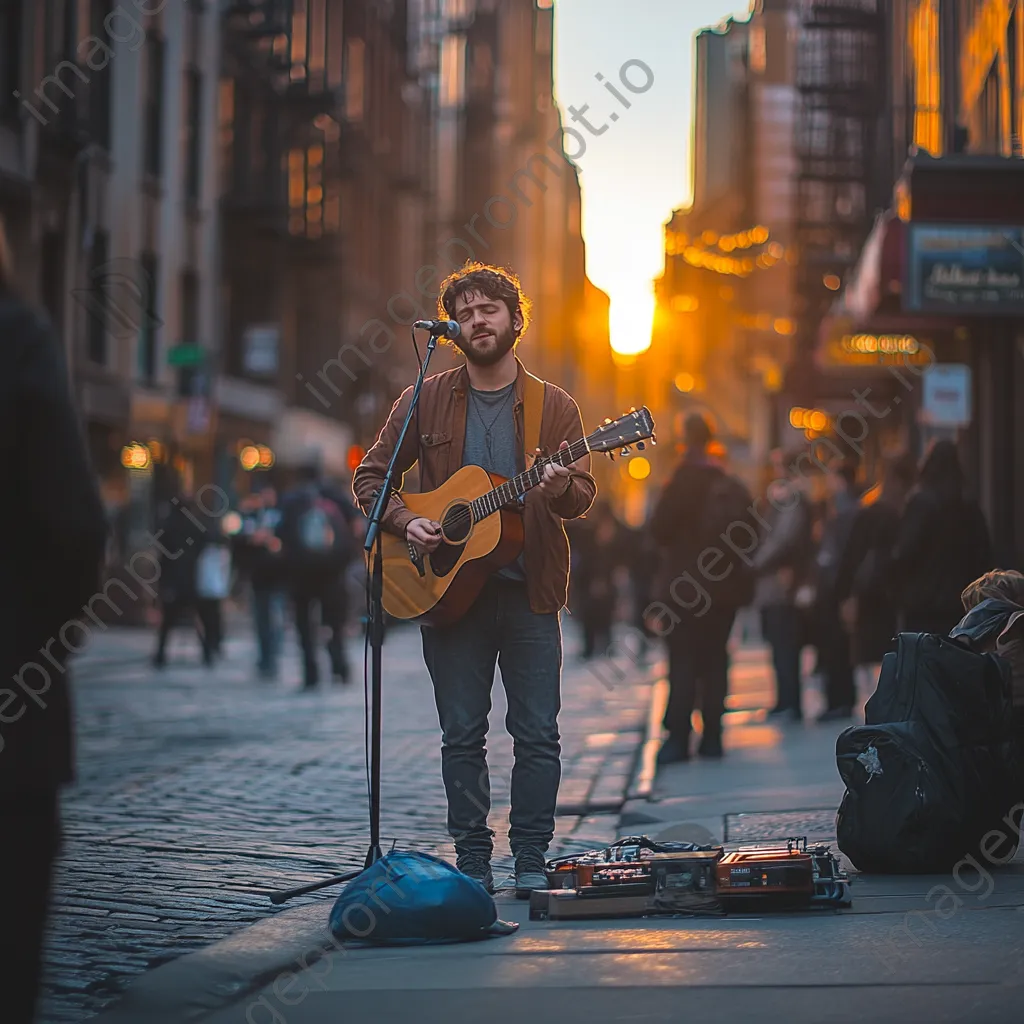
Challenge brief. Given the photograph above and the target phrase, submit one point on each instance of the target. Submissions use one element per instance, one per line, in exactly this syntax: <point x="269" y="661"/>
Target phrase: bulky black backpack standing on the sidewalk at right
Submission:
<point x="934" y="769"/>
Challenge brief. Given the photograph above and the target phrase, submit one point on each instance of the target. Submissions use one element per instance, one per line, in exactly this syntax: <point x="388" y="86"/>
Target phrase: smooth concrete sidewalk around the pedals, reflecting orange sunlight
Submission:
<point x="947" y="949"/>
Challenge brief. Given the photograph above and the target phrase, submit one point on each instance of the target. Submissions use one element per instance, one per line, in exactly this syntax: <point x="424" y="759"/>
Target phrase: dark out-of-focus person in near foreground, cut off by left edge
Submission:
<point x="53" y="539"/>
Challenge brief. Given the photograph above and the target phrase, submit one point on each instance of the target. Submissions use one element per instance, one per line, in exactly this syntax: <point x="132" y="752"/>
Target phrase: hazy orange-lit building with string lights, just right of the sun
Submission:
<point x="728" y="298"/>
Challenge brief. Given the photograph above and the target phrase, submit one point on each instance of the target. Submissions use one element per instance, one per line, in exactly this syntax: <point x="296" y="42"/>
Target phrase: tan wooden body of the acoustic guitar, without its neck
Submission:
<point x="456" y="572"/>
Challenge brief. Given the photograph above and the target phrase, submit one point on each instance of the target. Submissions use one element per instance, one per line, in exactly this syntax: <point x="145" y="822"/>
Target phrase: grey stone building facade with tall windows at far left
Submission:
<point x="108" y="191"/>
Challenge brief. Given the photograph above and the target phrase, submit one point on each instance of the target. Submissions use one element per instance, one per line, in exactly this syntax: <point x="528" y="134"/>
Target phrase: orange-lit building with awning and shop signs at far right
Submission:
<point x="941" y="280"/>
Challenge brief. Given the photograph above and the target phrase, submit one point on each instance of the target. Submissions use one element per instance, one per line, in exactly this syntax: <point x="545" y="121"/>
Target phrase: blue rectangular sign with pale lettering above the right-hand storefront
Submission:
<point x="968" y="270"/>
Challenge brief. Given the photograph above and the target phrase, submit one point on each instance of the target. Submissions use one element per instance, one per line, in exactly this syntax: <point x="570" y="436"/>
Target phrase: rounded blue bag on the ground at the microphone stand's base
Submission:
<point x="410" y="898"/>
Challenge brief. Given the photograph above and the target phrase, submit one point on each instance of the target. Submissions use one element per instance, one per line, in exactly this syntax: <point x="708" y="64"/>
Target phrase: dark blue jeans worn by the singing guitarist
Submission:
<point x="499" y="629"/>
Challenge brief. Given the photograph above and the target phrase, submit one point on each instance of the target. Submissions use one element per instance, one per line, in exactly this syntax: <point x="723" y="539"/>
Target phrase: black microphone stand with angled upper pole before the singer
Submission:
<point x="372" y="542"/>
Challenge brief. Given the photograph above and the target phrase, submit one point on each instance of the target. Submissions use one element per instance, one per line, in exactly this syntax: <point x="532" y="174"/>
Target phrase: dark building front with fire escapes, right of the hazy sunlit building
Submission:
<point x="840" y="79"/>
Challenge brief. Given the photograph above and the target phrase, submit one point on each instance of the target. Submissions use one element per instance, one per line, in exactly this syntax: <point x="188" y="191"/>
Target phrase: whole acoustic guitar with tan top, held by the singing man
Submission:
<point x="482" y="528"/>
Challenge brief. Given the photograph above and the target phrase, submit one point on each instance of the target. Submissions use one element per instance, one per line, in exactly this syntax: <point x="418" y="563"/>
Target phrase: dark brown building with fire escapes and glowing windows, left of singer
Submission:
<point x="284" y="160"/>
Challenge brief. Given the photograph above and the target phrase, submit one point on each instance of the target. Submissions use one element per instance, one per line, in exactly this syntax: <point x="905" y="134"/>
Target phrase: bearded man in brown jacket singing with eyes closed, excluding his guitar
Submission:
<point x="475" y="415"/>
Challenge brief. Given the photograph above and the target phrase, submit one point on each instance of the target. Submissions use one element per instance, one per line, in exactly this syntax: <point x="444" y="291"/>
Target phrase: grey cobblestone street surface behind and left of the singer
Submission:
<point x="202" y="791"/>
